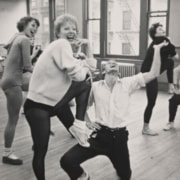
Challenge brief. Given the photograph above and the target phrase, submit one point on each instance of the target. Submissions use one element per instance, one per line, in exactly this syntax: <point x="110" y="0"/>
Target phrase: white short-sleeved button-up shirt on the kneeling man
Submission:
<point x="111" y="107"/>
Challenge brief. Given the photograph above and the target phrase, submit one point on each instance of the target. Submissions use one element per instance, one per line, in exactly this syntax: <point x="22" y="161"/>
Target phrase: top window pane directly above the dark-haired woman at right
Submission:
<point x="159" y="5"/>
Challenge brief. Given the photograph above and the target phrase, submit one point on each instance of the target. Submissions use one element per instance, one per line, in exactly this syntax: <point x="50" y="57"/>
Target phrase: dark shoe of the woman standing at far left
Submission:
<point x="12" y="160"/>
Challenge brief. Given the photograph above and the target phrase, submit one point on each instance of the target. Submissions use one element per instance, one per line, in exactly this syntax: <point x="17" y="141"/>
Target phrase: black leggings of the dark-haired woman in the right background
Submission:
<point x="152" y="89"/>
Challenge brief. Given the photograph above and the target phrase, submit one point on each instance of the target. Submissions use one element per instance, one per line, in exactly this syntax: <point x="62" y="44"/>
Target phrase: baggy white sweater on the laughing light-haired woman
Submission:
<point x="54" y="72"/>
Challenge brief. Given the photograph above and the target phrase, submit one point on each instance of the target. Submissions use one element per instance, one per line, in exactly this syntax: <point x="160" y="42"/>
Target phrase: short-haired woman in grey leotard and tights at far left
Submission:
<point x="18" y="61"/>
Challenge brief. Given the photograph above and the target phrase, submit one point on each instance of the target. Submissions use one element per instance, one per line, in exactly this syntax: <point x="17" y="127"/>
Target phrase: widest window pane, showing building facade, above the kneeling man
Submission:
<point x="123" y="27"/>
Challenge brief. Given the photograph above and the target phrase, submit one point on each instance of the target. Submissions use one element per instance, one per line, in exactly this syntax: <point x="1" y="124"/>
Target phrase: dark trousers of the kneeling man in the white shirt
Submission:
<point x="108" y="142"/>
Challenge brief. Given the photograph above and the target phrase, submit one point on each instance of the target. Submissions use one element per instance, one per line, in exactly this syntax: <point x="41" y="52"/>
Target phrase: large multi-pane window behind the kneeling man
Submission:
<point x="119" y="28"/>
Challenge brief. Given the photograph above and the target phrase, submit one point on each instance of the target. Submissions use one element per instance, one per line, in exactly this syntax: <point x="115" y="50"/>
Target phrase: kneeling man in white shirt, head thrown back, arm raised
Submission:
<point x="111" y="98"/>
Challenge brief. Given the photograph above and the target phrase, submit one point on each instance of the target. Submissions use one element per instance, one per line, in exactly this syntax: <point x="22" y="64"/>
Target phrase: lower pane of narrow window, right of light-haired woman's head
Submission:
<point x="94" y="35"/>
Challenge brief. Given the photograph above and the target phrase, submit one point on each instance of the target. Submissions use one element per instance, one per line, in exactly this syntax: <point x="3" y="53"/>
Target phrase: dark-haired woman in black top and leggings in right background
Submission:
<point x="168" y="55"/>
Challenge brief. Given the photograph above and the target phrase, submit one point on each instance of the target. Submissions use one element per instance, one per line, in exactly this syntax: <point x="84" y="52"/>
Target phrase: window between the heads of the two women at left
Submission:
<point x="46" y="11"/>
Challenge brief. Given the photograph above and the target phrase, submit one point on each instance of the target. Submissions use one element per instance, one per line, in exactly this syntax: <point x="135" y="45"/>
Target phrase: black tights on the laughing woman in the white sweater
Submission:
<point x="38" y="116"/>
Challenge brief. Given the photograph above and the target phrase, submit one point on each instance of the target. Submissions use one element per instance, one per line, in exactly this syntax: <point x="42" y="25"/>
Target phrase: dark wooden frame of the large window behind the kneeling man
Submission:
<point x="143" y="33"/>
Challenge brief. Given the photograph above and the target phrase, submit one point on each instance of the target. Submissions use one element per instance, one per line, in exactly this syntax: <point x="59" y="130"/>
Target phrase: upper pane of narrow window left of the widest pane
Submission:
<point x="94" y="9"/>
